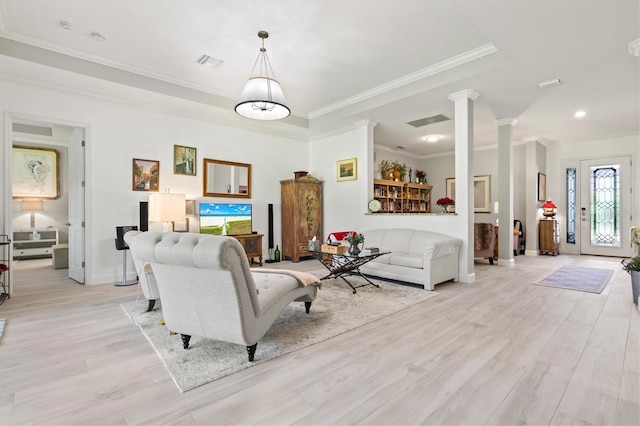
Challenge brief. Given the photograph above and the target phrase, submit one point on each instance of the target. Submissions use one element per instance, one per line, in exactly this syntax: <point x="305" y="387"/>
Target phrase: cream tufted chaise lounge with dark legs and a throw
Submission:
<point x="207" y="288"/>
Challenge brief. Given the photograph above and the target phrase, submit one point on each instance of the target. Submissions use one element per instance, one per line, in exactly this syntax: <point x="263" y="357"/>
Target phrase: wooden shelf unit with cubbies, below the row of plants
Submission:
<point x="399" y="197"/>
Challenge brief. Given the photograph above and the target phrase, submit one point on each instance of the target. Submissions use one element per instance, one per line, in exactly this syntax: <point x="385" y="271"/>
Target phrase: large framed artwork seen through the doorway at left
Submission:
<point x="36" y="173"/>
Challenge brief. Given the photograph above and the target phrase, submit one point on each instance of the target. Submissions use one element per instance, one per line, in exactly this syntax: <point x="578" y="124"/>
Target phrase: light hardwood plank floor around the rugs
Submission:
<point x="499" y="351"/>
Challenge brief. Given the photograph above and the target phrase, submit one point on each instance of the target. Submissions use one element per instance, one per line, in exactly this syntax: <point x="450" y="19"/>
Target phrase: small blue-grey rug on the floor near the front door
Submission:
<point x="578" y="278"/>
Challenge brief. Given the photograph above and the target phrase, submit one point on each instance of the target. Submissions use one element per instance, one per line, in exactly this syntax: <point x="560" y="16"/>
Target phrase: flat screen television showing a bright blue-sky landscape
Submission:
<point x="225" y="219"/>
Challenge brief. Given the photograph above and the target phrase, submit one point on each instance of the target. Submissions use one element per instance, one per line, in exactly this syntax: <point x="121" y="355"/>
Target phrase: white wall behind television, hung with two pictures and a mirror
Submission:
<point x="117" y="132"/>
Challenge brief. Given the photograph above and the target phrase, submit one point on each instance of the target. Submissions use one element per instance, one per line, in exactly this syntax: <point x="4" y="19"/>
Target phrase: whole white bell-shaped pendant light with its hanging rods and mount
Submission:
<point x="262" y="97"/>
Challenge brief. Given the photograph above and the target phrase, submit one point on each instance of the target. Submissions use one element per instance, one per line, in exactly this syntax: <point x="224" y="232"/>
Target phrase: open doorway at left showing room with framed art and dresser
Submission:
<point x="47" y="196"/>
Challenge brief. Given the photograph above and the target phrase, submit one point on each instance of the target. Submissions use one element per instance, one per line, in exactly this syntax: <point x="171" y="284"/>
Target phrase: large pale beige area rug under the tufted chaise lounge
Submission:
<point x="335" y="311"/>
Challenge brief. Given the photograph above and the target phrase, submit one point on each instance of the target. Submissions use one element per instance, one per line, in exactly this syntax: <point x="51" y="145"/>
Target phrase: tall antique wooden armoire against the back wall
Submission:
<point x="301" y="216"/>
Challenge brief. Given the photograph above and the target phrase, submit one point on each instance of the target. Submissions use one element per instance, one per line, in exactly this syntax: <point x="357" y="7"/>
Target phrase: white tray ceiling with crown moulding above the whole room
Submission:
<point x="343" y="61"/>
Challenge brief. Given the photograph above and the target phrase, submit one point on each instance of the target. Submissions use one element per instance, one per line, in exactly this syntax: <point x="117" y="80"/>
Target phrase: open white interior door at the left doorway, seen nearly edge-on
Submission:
<point x="76" y="206"/>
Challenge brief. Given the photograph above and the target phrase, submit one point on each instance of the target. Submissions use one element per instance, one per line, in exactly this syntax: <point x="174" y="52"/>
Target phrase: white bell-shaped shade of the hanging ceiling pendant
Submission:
<point x="262" y="99"/>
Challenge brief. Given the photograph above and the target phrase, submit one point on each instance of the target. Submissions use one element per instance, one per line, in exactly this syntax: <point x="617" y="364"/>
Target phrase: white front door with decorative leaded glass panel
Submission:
<point x="605" y="206"/>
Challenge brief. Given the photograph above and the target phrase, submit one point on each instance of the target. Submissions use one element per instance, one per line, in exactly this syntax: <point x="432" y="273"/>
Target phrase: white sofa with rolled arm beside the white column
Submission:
<point x="419" y="257"/>
